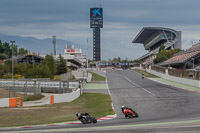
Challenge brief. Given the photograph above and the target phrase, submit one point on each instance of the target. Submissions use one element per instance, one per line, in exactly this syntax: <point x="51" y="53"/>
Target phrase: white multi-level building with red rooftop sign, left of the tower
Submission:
<point x="75" y="58"/>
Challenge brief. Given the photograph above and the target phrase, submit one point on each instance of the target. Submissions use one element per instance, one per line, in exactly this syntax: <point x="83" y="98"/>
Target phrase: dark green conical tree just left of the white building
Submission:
<point x="61" y="66"/>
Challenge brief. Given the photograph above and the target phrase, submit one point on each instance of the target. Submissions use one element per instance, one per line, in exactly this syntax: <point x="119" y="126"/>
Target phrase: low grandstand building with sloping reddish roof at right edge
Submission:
<point x="188" y="59"/>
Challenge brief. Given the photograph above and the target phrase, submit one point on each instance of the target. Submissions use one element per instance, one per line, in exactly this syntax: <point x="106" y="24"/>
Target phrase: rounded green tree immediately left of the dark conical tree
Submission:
<point x="50" y="62"/>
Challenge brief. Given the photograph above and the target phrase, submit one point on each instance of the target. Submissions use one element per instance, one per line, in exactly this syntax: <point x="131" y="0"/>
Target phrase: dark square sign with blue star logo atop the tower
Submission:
<point x="96" y="13"/>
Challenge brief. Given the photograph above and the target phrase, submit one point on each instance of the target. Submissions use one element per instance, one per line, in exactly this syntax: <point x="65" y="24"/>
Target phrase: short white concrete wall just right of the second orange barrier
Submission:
<point x="68" y="97"/>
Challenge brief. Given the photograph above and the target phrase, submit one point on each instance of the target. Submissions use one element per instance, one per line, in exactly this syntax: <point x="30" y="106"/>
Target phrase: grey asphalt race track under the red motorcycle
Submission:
<point x="161" y="108"/>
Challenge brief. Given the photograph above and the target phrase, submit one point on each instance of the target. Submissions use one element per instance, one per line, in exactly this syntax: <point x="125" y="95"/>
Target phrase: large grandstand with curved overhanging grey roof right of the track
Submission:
<point x="153" y="37"/>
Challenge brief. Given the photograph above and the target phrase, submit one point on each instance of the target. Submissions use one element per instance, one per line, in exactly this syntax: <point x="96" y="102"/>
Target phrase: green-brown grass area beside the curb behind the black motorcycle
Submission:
<point x="98" y="105"/>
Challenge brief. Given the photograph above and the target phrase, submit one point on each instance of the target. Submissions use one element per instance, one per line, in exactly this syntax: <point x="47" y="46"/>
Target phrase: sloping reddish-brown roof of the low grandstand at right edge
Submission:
<point x="184" y="56"/>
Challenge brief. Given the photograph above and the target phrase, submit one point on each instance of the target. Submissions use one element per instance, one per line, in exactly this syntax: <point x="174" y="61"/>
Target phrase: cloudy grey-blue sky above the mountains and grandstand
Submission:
<point x="123" y="19"/>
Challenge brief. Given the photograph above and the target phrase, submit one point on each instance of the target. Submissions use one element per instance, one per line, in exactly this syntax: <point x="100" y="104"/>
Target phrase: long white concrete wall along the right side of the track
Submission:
<point x="191" y="82"/>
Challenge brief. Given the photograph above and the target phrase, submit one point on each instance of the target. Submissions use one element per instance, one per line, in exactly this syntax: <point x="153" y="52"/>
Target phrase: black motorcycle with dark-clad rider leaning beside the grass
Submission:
<point x="86" y="118"/>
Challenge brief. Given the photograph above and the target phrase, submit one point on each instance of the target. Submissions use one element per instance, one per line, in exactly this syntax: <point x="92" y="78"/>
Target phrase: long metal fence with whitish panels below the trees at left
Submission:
<point x="34" y="87"/>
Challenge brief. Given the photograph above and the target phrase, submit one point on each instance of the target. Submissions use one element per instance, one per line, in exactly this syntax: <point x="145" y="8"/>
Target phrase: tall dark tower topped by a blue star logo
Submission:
<point x="96" y="22"/>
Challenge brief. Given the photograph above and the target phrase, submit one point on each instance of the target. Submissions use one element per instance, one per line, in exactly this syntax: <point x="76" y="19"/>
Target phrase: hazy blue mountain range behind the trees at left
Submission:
<point x="42" y="46"/>
